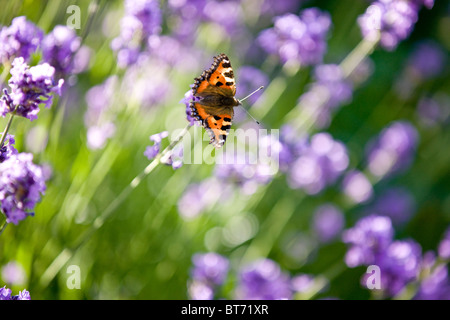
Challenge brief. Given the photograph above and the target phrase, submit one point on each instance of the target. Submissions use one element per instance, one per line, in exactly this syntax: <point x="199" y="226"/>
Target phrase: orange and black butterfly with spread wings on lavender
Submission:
<point x="214" y="99"/>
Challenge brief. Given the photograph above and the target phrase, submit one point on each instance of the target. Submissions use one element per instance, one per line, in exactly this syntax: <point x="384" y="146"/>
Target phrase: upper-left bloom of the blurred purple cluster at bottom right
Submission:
<point x="368" y="239"/>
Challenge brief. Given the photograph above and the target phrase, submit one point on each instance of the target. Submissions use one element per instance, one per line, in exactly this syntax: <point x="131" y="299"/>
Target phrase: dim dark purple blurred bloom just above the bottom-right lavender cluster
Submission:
<point x="396" y="203"/>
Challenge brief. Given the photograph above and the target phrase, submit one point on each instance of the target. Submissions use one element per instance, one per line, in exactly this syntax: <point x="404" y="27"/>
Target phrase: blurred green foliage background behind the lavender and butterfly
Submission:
<point x="144" y="247"/>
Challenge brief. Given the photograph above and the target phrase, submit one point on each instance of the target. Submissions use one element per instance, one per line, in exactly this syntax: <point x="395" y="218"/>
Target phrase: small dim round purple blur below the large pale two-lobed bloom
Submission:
<point x="328" y="222"/>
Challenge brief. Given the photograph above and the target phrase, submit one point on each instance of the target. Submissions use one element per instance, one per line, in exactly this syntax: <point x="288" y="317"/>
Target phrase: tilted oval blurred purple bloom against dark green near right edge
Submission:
<point x="393" y="150"/>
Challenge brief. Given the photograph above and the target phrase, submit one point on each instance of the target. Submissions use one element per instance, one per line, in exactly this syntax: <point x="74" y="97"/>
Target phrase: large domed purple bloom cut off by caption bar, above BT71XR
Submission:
<point x="263" y="280"/>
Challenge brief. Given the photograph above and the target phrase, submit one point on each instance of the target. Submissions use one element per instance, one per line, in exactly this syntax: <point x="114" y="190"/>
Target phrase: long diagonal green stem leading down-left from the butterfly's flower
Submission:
<point x="67" y="253"/>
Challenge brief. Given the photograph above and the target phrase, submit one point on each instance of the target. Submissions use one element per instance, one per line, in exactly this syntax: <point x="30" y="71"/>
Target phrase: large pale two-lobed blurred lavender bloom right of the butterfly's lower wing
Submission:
<point x="318" y="165"/>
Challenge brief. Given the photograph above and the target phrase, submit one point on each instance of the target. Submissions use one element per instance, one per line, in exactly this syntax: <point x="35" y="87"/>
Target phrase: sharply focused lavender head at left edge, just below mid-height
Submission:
<point x="21" y="186"/>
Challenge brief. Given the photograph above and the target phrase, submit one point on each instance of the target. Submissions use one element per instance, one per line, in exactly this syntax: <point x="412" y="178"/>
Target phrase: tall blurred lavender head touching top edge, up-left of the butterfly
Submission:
<point x="142" y="20"/>
